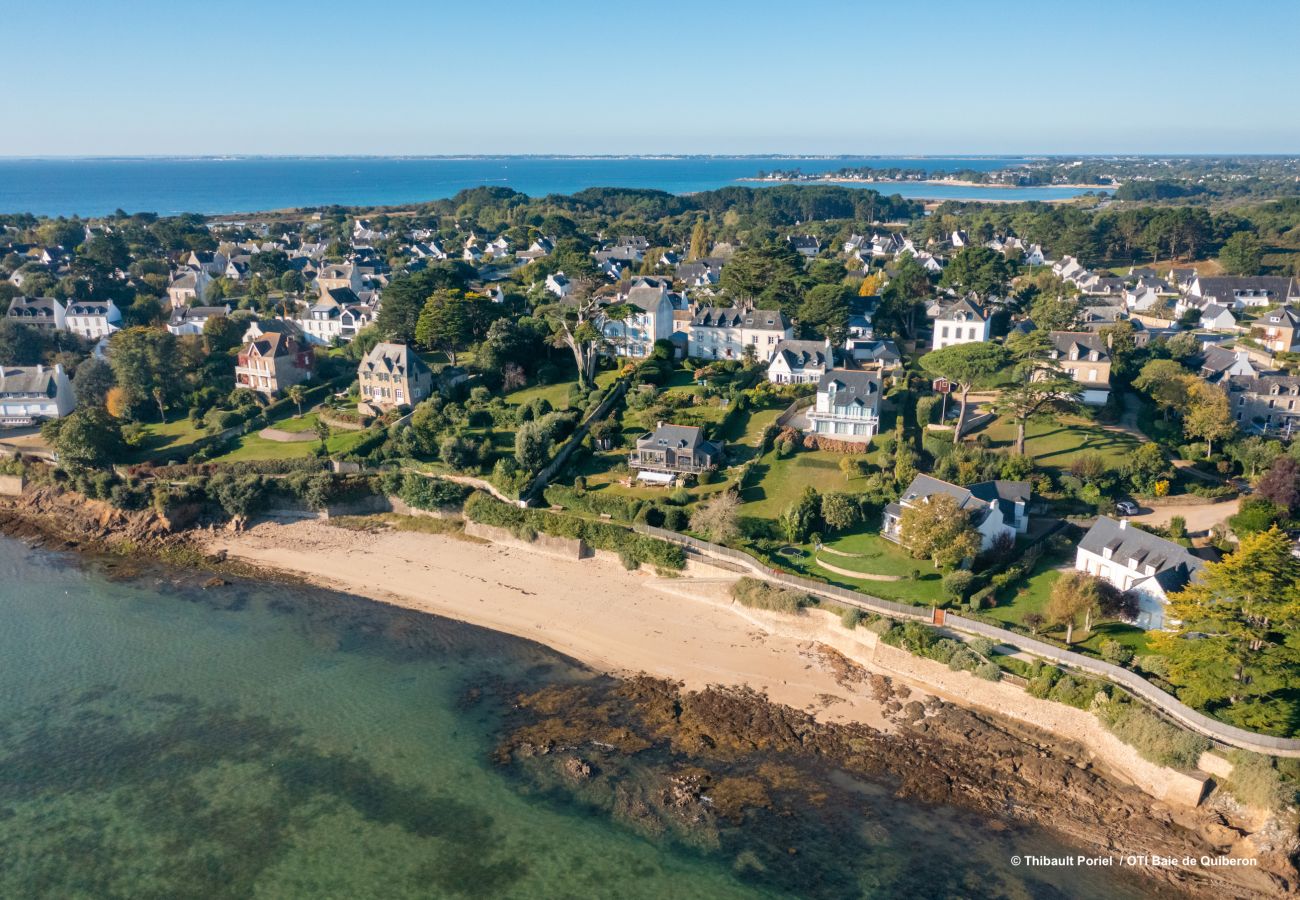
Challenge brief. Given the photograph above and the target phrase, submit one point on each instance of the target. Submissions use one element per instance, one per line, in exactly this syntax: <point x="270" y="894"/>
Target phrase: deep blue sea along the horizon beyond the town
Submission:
<point x="170" y="187"/>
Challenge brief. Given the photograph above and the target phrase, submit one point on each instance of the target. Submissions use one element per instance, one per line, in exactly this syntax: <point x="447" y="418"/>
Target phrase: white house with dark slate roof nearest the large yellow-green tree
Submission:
<point x="1139" y="562"/>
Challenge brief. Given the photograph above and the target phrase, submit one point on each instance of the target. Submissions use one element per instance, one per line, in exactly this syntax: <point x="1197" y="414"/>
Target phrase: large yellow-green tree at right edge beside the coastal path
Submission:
<point x="1237" y="642"/>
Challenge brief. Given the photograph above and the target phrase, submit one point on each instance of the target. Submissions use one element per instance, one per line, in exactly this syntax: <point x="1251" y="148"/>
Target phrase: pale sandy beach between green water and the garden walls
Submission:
<point x="593" y="611"/>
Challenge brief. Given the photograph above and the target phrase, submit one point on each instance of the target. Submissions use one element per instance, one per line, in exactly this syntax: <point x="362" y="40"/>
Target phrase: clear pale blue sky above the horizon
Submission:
<point x="180" y="77"/>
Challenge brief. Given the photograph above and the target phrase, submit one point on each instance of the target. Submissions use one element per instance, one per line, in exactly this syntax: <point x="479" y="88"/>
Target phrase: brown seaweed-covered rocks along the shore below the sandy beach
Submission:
<point x="726" y="765"/>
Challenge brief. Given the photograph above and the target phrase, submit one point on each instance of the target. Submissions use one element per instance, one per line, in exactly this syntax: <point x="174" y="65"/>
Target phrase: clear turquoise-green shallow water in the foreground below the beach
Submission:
<point x="164" y="741"/>
